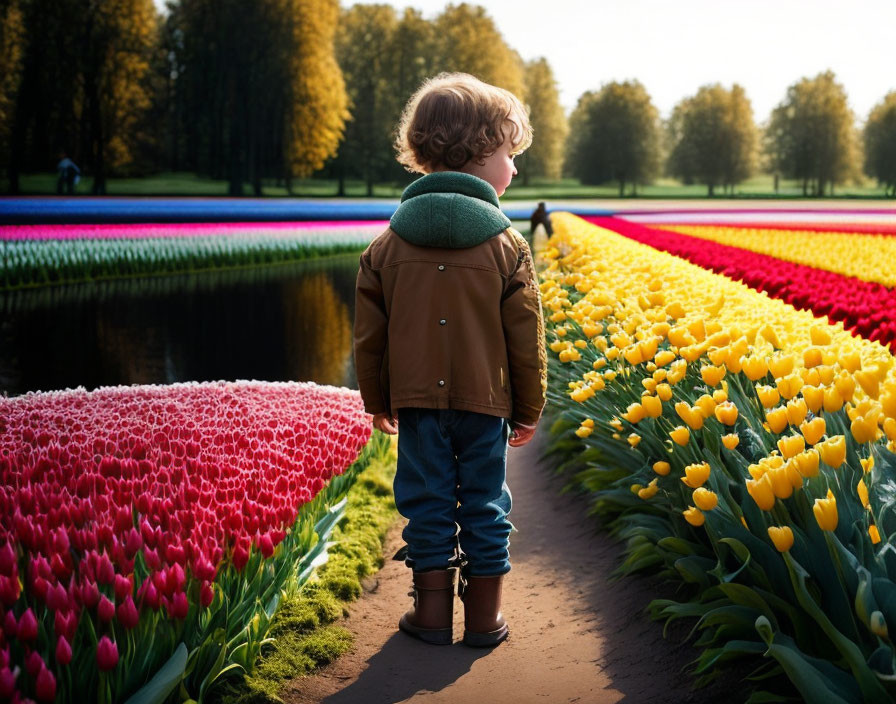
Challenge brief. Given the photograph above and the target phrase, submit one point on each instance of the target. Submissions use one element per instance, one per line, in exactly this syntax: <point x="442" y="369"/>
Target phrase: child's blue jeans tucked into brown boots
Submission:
<point x="452" y="472"/>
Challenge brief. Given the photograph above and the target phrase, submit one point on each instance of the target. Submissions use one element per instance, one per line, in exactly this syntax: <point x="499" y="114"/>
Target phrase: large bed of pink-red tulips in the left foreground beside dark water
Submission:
<point x="148" y="532"/>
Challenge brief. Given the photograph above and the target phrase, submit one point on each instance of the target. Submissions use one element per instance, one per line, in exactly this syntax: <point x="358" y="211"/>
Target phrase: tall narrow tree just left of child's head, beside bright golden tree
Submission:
<point x="363" y="48"/>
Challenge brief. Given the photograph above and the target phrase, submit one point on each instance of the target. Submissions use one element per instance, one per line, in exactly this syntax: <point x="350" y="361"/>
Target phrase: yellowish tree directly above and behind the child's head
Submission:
<point x="466" y="39"/>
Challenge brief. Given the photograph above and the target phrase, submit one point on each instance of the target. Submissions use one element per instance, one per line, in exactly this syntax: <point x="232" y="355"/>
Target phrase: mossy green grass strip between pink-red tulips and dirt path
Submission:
<point x="304" y="633"/>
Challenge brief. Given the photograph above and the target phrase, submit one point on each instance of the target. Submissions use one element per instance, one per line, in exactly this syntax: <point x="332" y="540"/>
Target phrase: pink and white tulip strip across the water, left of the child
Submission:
<point x="55" y="254"/>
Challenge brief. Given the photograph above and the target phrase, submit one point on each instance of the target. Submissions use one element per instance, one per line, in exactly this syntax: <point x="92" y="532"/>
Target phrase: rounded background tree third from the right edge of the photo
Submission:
<point x="713" y="138"/>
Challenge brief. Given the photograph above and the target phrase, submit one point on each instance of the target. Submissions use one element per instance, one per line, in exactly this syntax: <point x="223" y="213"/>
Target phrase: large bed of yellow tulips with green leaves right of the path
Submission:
<point x="738" y="446"/>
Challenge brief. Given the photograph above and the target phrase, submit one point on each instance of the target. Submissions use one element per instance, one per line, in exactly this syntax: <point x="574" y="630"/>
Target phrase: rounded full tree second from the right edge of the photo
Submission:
<point x="811" y="135"/>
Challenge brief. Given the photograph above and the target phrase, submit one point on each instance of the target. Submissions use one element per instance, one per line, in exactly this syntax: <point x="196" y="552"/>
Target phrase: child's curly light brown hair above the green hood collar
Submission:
<point x="456" y="122"/>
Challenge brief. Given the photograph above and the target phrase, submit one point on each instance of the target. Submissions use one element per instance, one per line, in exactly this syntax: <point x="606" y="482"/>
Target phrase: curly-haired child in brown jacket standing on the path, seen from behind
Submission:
<point x="449" y="336"/>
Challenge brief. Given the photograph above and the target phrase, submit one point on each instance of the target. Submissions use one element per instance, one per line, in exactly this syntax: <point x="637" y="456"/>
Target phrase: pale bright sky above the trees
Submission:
<point x="675" y="46"/>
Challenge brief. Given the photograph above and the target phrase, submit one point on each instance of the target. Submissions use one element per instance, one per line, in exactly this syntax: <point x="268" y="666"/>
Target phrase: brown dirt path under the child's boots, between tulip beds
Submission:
<point x="574" y="635"/>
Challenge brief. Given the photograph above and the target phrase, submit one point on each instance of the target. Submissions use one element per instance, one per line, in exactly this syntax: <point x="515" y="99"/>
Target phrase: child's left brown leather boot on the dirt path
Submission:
<point x="432" y="616"/>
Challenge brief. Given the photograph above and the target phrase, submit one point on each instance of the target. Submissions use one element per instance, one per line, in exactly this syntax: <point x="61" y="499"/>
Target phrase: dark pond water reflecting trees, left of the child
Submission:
<point x="272" y="323"/>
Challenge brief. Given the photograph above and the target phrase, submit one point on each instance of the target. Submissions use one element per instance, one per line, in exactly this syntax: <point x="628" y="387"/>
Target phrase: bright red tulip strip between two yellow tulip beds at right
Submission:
<point x="863" y="306"/>
